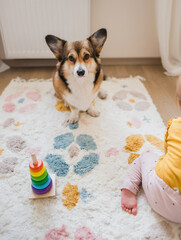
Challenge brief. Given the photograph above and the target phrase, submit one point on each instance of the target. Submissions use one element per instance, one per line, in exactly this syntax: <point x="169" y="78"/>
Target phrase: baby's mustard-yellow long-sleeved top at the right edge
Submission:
<point x="168" y="166"/>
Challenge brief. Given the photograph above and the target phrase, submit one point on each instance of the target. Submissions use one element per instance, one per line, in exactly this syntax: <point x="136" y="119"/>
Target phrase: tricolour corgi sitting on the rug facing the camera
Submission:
<point x="79" y="74"/>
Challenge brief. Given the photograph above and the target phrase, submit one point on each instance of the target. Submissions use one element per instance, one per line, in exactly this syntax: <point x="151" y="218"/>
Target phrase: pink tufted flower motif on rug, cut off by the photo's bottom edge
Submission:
<point x="81" y="233"/>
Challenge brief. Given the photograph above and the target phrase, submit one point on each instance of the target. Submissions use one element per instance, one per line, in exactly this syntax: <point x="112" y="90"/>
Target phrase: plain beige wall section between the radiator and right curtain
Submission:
<point x="131" y="27"/>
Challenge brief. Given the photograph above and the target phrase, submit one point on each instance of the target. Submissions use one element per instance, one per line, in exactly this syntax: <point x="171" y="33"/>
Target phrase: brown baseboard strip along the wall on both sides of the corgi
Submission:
<point x="105" y="61"/>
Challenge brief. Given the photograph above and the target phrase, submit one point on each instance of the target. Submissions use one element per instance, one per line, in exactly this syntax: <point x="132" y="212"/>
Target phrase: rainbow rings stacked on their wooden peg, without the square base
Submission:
<point x="41" y="181"/>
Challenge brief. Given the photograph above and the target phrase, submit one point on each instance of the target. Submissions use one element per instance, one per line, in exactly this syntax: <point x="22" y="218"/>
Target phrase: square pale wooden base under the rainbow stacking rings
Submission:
<point x="51" y="193"/>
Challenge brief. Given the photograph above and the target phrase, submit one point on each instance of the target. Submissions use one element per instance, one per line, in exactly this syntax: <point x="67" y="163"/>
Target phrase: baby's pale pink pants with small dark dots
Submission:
<point x="163" y="199"/>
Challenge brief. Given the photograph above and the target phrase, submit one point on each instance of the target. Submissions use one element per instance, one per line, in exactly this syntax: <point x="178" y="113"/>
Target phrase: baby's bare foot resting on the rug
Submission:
<point x="128" y="201"/>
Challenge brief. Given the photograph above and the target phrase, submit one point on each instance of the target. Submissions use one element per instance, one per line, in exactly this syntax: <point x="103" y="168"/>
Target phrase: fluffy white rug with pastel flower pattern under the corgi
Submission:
<point x="89" y="159"/>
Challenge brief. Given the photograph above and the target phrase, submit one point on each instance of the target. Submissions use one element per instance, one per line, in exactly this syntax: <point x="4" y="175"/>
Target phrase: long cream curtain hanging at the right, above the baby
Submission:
<point x="168" y="18"/>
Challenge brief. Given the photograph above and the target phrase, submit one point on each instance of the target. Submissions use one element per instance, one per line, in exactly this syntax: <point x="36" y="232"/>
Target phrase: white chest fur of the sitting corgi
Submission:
<point x="82" y="92"/>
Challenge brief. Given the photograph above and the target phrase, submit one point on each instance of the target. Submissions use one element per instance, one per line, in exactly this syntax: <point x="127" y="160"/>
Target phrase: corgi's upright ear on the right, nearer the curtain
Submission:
<point x="98" y="39"/>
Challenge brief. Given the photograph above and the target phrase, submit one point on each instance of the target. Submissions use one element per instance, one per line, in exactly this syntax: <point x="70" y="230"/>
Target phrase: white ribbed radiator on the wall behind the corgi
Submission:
<point x="25" y="23"/>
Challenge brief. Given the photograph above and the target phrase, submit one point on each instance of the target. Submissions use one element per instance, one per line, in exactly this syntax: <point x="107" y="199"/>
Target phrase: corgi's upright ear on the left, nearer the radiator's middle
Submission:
<point x="56" y="45"/>
